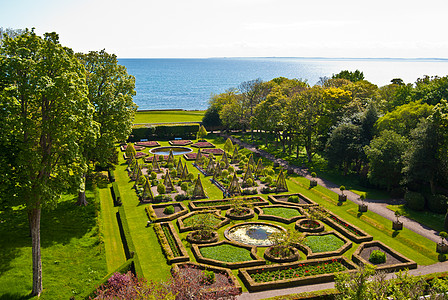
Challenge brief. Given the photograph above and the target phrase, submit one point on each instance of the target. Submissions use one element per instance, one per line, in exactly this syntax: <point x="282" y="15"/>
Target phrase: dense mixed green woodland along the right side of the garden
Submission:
<point x="394" y="136"/>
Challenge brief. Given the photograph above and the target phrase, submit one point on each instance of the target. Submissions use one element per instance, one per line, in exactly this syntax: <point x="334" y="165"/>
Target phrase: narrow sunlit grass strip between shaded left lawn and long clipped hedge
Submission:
<point x="115" y="256"/>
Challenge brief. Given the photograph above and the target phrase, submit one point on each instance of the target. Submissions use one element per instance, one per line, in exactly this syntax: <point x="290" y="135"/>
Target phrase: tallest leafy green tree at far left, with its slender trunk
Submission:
<point x="44" y="96"/>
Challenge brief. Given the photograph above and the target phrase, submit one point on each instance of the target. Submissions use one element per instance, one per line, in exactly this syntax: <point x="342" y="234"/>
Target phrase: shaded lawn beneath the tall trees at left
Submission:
<point x="73" y="259"/>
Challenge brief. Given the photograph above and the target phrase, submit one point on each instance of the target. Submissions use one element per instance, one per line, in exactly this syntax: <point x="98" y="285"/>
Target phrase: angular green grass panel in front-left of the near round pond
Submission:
<point x="226" y="253"/>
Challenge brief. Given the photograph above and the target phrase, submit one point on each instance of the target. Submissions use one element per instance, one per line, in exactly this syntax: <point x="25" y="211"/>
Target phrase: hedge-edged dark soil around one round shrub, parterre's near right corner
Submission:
<point x="394" y="260"/>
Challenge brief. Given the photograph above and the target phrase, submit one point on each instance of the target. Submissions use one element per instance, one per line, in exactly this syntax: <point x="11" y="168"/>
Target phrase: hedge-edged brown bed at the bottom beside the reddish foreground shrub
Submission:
<point x="226" y="284"/>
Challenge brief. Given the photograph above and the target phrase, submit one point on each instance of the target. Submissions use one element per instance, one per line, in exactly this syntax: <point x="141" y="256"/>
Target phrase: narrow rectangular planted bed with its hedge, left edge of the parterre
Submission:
<point x="171" y="244"/>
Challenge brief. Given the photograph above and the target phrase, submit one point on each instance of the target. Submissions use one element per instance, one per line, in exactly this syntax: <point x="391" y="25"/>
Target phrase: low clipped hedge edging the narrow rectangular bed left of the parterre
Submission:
<point x="166" y="246"/>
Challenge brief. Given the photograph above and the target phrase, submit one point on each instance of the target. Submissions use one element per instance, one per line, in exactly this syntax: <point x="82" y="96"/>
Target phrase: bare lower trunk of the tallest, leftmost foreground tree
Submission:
<point x="35" y="240"/>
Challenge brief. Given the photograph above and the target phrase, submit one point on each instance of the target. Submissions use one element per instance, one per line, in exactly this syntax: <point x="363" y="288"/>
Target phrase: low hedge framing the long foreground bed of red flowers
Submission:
<point x="287" y="283"/>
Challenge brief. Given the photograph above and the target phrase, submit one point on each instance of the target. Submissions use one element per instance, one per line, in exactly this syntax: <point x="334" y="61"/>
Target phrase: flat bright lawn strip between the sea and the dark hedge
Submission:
<point x="169" y="116"/>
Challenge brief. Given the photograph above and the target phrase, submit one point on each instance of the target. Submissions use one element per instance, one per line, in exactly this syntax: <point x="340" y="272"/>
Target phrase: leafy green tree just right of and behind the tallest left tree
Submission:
<point x="111" y="90"/>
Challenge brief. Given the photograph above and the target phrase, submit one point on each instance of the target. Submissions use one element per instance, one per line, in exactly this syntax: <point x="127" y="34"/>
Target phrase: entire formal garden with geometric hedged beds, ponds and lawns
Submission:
<point x="229" y="210"/>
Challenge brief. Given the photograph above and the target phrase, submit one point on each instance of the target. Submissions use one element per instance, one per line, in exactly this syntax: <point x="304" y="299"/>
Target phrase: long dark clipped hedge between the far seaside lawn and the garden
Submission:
<point x="163" y="132"/>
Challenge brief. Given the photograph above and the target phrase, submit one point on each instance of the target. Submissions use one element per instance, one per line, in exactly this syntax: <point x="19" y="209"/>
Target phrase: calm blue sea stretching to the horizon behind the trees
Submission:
<point x="189" y="83"/>
